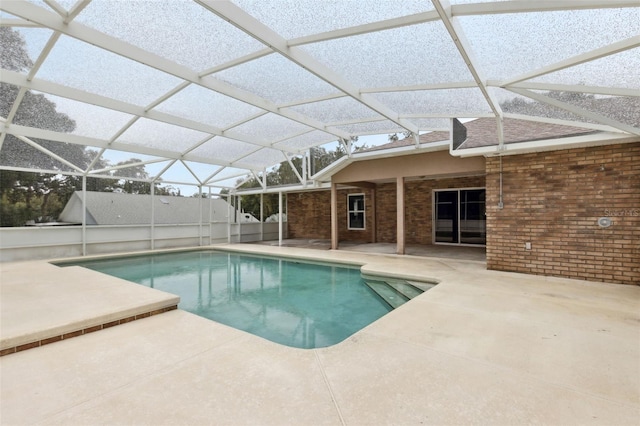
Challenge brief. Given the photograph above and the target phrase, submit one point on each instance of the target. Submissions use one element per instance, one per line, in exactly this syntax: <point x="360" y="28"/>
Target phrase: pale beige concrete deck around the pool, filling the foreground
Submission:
<point x="481" y="347"/>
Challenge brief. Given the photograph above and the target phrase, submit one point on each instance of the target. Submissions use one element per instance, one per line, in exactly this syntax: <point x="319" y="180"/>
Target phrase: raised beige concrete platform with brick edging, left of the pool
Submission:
<point x="34" y="312"/>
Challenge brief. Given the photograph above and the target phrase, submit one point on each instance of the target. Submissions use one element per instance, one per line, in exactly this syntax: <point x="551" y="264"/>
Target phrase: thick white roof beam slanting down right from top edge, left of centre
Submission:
<point x="245" y="22"/>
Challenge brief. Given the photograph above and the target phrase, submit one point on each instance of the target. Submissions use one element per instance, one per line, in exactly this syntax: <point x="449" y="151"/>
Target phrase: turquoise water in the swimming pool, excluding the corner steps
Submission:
<point x="303" y="305"/>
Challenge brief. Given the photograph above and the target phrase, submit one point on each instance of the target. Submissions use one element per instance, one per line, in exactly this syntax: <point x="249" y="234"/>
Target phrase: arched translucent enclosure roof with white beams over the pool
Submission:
<point x="214" y="90"/>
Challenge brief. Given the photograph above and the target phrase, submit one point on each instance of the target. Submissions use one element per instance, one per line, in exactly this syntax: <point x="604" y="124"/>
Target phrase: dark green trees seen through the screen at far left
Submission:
<point x="41" y="197"/>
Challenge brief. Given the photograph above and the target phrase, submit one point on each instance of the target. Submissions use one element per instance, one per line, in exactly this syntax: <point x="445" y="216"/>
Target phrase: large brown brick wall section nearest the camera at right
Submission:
<point x="553" y="200"/>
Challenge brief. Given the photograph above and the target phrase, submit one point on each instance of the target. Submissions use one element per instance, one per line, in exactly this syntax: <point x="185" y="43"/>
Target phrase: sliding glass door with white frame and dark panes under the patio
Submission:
<point x="459" y="216"/>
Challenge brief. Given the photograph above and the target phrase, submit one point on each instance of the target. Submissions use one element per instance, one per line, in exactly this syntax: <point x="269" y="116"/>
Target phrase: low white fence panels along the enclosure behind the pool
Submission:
<point x="30" y="243"/>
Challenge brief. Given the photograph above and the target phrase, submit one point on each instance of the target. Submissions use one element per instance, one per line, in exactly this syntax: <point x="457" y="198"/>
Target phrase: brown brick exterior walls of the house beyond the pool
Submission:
<point x="551" y="200"/>
